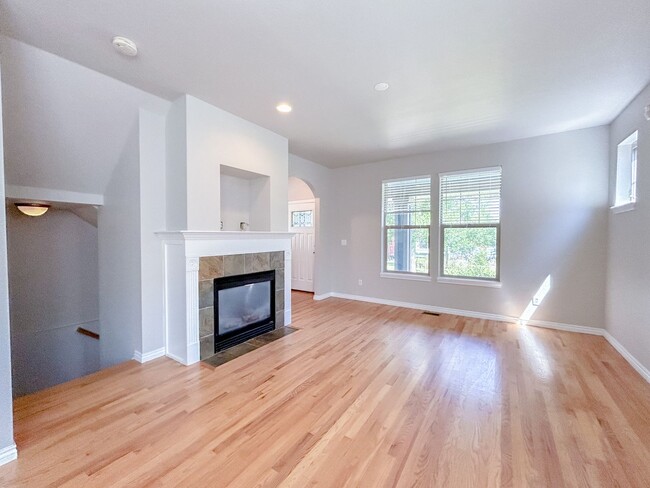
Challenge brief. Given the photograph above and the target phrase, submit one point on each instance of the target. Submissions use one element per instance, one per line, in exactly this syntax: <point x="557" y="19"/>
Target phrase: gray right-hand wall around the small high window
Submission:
<point x="628" y="276"/>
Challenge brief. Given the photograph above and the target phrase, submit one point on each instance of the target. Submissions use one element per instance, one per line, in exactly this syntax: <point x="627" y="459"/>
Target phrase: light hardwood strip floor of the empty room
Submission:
<point x="362" y="396"/>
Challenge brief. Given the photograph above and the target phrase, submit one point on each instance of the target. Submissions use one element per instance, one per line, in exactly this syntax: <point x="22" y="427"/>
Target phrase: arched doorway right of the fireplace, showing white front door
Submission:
<point x="303" y="222"/>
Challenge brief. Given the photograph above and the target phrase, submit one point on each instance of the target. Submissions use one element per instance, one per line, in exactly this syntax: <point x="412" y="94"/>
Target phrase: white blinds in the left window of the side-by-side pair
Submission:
<point x="404" y="198"/>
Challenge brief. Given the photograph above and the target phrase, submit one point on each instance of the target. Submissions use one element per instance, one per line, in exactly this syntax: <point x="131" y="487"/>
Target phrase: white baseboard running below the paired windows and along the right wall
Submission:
<point x="580" y="329"/>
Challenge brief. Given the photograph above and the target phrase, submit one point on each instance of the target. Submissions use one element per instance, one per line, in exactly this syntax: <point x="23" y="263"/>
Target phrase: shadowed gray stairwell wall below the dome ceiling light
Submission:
<point x="53" y="285"/>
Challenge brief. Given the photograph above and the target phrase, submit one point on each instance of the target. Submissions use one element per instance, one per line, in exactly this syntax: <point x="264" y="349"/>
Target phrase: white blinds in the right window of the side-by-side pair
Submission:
<point x="471" y="198"/>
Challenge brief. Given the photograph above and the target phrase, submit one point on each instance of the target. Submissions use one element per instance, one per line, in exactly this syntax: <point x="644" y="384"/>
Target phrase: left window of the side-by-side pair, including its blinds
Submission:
<point x="406" y="225"/>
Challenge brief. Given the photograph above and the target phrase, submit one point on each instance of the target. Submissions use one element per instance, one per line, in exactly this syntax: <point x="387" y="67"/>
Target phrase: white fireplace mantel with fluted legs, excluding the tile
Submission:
<point x="182" y="251"/>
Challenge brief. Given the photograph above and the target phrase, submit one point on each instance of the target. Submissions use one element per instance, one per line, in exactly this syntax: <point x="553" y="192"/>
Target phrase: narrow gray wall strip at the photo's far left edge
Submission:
<point x="6" y="404"/>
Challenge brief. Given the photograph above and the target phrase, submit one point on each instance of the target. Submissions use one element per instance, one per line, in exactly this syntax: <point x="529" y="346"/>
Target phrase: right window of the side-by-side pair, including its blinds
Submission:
<point x="470" y="224"/>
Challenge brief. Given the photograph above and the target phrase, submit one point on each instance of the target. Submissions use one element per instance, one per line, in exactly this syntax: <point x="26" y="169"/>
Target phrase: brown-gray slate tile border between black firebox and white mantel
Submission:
<point x="236" y="264"/>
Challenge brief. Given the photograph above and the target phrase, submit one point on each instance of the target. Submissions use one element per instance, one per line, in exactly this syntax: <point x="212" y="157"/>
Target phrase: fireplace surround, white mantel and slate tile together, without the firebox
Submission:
<point x="193" y="259"/>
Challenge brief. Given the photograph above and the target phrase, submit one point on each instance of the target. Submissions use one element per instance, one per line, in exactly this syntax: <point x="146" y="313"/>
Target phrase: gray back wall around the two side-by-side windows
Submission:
<point x="554" y="222"/>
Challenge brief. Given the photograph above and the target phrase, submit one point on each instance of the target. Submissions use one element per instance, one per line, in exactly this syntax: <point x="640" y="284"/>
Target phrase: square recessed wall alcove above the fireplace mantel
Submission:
<point x="245" y="197"/>
